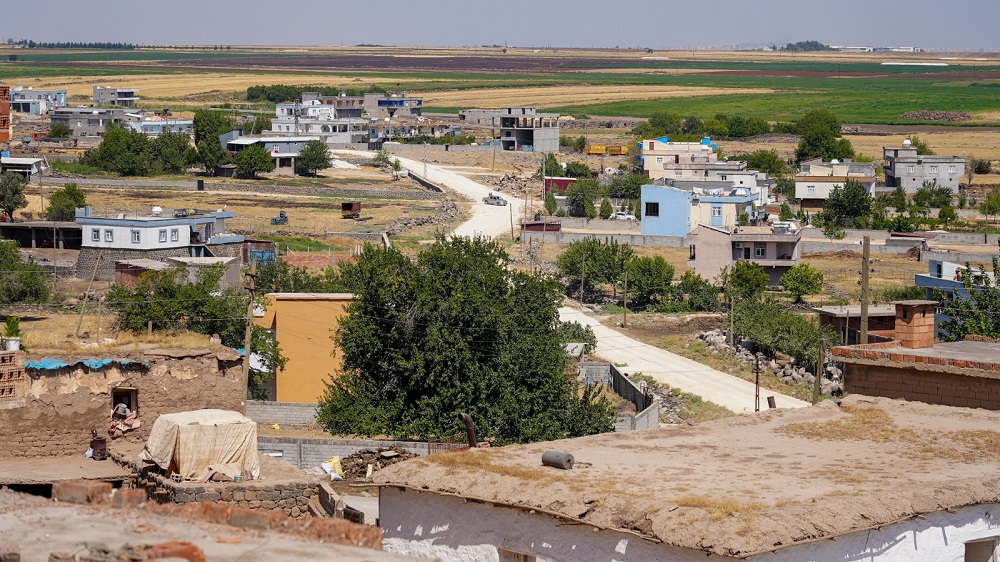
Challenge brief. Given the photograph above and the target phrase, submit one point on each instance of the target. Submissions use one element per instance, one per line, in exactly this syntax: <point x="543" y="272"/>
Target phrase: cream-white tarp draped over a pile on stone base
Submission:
<point x="186" y="443"/>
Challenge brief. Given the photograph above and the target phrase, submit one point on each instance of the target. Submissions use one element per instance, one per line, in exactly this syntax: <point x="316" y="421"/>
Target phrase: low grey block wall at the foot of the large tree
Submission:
<point x="309" y="452"/>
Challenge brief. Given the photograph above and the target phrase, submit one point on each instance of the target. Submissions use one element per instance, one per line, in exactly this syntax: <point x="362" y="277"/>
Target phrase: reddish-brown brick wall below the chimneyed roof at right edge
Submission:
<point x="931" y="387"/>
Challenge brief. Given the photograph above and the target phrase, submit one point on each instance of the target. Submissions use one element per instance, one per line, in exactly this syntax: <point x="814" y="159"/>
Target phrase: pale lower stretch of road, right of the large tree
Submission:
<point x="687" y="375"/>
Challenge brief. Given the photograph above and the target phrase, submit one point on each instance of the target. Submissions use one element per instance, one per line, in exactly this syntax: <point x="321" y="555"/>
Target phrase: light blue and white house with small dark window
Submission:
<point x="675" y="208"/>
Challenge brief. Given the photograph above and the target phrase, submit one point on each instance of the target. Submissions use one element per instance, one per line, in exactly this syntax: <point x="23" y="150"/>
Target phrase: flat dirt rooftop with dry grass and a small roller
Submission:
<point x="744" y="485"/>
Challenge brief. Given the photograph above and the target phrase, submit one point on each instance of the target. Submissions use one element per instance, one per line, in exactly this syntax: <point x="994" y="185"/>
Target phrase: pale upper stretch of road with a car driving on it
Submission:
<point x="486" y="220"/>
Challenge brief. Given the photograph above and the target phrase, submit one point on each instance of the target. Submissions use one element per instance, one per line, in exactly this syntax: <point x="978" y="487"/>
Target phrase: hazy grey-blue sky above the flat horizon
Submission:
<point x="958" y="24"/>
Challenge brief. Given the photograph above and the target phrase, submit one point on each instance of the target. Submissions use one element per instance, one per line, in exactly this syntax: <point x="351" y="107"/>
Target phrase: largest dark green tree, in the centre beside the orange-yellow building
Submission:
<point x="455" y="331"/>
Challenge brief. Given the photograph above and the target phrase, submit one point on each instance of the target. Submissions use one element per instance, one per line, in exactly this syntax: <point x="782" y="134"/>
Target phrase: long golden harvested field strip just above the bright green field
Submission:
<point x="558" y="96"/>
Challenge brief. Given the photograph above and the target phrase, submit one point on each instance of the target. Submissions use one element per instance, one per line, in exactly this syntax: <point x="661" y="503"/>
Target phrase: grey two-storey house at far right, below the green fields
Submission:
<point x="905" y="168"/>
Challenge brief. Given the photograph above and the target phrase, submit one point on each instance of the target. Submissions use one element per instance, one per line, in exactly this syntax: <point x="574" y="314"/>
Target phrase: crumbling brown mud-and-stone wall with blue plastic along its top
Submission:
<point x="61" y="406"/>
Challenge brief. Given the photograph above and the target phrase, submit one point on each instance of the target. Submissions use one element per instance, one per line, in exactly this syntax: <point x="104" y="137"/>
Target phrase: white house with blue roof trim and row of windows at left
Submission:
<point x="156" y="234"/>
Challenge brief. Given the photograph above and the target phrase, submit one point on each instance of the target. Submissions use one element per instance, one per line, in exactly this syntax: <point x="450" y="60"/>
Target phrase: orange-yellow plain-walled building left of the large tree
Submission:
<point x="302" y="323"/>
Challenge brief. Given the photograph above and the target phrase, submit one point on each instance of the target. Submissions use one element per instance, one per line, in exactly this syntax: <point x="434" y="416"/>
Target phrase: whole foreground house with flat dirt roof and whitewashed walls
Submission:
<point x="769" y="487"/>
